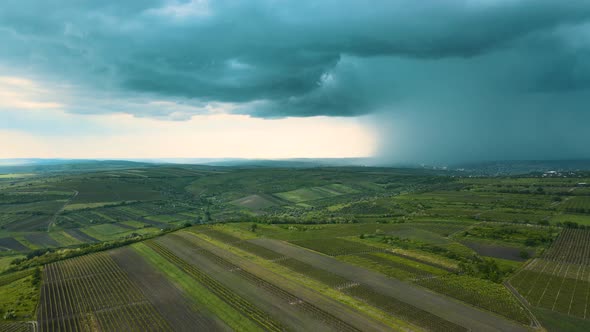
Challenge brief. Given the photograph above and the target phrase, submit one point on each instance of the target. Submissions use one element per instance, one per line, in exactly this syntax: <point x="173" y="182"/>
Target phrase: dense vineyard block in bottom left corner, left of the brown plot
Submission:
<point x="92" y="292"/>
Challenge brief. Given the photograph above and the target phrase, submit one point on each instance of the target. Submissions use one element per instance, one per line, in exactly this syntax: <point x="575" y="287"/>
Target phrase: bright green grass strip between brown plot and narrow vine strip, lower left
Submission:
<point x="195" y="291"/>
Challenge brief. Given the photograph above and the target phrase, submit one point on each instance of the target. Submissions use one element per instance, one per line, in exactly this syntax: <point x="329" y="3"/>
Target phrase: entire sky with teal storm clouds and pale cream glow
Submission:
<point x="399" y="80"/>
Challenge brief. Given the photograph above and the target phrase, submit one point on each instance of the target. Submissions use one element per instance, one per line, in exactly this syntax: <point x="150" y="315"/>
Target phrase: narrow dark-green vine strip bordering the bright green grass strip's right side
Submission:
<point x="220" y="290"/>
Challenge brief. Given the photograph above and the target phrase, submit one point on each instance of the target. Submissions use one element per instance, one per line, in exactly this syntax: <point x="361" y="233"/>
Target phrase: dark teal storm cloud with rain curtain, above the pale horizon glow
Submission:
<point x="505" y="71"/>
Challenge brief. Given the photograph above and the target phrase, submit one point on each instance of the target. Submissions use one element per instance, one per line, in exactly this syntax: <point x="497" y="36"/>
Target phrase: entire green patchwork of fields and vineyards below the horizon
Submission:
<point x="167" y="248"/>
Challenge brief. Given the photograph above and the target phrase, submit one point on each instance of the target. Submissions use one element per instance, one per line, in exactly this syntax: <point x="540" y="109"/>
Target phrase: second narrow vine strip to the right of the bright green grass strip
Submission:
<point x="288" y="297"/>
